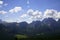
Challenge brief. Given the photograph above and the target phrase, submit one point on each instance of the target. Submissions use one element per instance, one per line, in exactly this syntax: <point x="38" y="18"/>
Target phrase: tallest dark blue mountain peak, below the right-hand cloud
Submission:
<point x="50" y="23"/>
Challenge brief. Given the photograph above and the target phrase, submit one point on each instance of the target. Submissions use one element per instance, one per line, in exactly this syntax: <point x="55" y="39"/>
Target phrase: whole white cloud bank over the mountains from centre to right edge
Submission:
<point x="33" y="15"/>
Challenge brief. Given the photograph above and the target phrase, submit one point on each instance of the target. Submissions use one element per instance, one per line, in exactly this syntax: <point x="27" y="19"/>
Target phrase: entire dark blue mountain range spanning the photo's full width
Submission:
<point x="46" y="27"/>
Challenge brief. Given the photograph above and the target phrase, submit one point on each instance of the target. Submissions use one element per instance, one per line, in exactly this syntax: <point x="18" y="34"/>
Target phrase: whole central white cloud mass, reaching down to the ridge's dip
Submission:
<point x="32" y="15"/>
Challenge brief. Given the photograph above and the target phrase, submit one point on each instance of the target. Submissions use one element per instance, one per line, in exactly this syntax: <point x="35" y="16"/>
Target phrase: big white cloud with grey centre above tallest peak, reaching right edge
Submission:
<point x="51" y="13"/>
